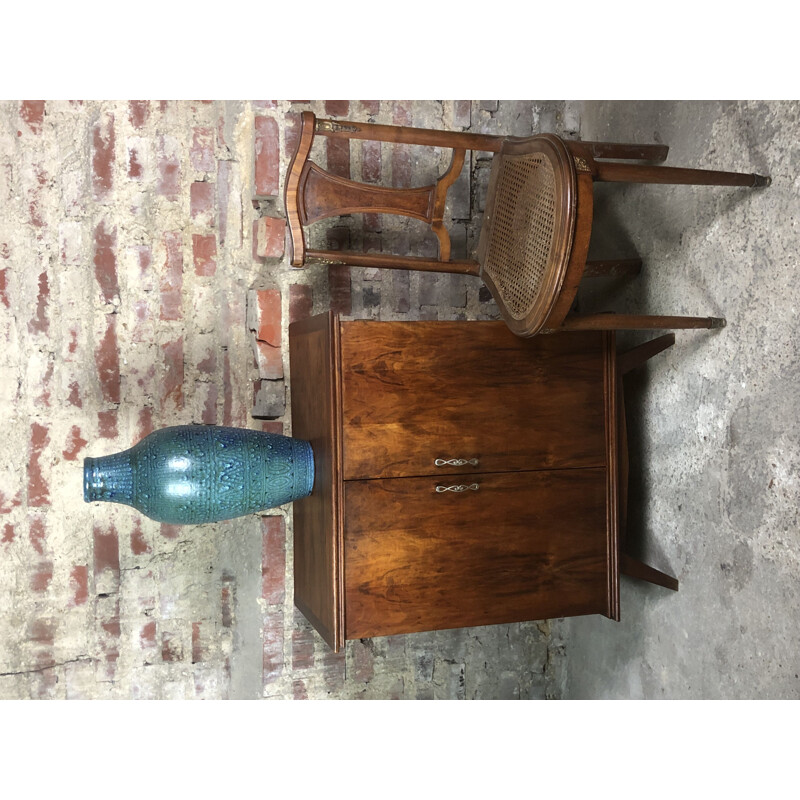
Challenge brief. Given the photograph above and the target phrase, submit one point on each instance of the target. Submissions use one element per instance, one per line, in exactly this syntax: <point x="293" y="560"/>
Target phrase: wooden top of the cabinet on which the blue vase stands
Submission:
<point x="317" y="533"/>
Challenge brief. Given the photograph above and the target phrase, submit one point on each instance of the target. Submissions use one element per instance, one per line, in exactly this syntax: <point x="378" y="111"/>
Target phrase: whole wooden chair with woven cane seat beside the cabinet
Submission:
<point x="532" y="251"/>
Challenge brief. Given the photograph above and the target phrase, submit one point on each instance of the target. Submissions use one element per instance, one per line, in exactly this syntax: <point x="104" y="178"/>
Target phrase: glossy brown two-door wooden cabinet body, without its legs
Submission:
<point x="464" y="476"/>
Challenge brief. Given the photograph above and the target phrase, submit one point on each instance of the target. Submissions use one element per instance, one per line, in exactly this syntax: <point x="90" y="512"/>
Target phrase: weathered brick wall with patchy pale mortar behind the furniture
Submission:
<point x="143" y="283"/>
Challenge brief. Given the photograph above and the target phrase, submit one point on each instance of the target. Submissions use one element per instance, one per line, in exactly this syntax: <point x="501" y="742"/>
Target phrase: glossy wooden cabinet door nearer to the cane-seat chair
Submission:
<point x="415" y="393"/>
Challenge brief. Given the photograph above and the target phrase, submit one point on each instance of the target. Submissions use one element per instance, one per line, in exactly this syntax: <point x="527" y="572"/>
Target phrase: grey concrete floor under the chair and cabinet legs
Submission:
<point x="713" y="421"/>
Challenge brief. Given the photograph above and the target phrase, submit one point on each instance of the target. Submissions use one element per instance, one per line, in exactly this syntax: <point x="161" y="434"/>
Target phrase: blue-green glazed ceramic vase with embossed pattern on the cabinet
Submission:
<point x="190" y="474"/>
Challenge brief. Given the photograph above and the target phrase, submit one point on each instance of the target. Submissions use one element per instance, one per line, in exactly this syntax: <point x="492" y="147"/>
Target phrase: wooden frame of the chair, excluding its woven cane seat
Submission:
<point x="313" y="194"/>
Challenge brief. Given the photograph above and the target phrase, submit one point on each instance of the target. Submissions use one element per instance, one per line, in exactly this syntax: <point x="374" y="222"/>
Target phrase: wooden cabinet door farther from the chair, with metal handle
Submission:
<point x="520" y="546"/>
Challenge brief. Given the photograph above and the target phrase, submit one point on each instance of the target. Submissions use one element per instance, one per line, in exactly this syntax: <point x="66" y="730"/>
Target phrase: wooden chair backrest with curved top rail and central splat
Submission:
<point x="313" y="194"/>
